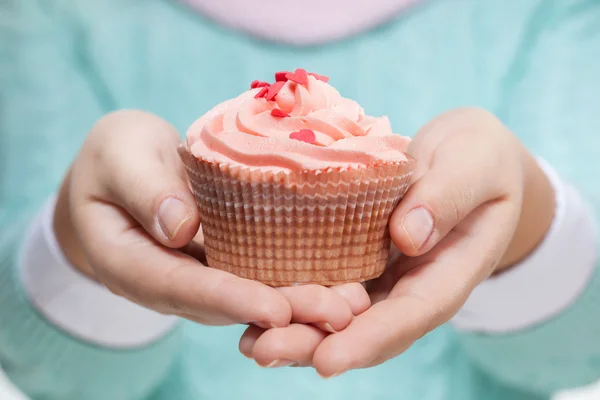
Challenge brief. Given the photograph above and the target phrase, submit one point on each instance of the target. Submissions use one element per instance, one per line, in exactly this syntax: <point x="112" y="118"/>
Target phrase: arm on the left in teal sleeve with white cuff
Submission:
<point x="47" y="103"/>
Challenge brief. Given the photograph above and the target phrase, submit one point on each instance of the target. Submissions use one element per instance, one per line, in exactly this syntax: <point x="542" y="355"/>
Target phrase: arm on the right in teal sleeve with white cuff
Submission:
<point x="551" y="342"/>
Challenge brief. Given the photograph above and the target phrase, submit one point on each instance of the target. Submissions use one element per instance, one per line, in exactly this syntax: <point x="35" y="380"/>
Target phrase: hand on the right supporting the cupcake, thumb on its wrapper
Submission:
<point x="478" y="205"/>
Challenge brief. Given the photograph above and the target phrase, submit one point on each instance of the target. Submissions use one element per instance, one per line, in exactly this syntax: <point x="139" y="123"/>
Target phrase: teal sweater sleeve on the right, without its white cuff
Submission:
<point x="547" y="94"/>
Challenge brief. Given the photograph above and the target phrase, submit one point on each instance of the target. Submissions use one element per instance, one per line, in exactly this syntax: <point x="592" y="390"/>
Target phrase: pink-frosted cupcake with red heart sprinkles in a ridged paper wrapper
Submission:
<point x="295" y="184"/>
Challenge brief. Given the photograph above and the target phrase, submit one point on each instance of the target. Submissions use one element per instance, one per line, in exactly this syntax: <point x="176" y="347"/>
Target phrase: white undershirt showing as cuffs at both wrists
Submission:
<point x="540" y="287"/>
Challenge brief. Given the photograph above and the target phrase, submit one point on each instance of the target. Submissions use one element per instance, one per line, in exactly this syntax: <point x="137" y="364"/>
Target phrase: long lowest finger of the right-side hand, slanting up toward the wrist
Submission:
<point x="428" y="295"/>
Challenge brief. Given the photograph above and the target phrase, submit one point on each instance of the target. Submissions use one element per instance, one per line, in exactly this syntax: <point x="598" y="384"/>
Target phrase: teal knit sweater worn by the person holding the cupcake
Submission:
<point x="65" y="63"/>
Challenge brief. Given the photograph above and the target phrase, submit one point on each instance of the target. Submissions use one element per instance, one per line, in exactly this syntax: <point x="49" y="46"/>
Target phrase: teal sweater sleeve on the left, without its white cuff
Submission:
<point x="49" y="98"/>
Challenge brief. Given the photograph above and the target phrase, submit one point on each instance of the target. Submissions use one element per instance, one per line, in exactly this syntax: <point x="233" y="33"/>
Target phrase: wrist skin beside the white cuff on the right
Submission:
<point x="537" y="213"/>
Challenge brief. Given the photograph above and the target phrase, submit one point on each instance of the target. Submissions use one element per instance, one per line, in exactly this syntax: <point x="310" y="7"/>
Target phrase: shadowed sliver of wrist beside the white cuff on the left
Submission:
<point x="65" y="231"/>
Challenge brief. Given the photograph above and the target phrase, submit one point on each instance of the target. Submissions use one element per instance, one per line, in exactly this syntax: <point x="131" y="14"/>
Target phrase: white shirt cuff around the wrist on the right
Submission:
<point x="548" y="281"/>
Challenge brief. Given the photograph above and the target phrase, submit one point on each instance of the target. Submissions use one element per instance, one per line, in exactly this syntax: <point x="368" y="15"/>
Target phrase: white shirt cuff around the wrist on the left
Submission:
<point x="76" y="304"/>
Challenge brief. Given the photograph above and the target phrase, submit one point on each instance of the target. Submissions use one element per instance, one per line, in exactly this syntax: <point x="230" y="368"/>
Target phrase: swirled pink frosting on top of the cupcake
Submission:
<point x="243" y="131"/>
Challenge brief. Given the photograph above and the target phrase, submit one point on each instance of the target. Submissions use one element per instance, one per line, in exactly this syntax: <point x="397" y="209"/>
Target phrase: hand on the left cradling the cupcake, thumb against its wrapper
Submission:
<point x="126" y="217"/>
